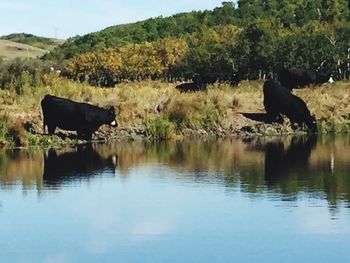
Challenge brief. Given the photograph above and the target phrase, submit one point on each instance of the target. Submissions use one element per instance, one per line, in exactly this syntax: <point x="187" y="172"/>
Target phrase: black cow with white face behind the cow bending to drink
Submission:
<point x="294" y="78"/>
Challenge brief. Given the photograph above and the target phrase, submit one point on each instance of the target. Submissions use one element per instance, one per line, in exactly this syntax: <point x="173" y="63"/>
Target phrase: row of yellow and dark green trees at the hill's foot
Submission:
<point x="258" y="50"/>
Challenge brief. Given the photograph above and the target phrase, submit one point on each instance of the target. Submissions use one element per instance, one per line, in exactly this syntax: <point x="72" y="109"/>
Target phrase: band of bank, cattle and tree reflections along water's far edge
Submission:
<point x="285" y="166"/>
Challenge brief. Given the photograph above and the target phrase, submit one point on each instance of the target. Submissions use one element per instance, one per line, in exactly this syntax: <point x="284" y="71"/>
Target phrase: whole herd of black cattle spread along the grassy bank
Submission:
<point x="85" y="118"/>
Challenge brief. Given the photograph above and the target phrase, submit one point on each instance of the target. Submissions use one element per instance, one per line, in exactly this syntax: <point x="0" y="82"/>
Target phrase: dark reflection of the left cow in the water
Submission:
<point x="82" y="163"/>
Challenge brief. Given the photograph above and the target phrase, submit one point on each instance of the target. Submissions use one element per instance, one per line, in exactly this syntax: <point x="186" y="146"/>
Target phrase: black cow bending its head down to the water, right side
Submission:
<point x="279" y="100"/>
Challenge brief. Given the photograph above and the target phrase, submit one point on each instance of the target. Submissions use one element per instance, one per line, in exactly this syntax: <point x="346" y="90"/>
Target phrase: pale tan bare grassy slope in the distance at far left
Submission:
<point x="10" y="50"/>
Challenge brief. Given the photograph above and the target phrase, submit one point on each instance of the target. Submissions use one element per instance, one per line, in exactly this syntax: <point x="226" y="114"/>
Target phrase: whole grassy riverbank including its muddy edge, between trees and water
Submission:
<point x="156" y="110"/>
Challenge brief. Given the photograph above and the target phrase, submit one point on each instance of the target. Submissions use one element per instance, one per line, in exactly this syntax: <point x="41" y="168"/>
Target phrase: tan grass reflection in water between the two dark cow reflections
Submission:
<point x="194" y="156"/>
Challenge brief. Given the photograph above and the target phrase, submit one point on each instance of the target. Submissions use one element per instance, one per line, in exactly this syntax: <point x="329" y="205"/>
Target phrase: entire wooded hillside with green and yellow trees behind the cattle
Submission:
<point x="255" y="38"/>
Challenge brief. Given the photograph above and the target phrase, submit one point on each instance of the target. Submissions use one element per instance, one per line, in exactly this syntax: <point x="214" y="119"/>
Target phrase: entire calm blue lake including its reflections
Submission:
<point x="260" y="200"/>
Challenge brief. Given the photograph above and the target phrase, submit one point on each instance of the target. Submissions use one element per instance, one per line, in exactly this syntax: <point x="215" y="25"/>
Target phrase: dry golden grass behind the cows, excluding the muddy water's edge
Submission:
<point x="138" y="102"/>
